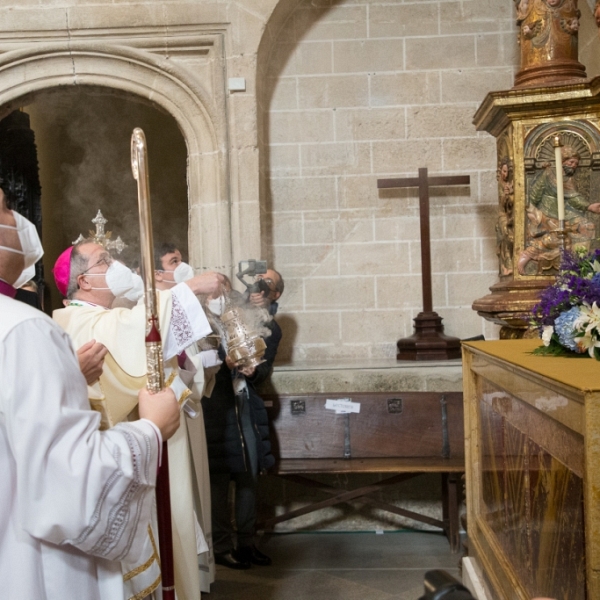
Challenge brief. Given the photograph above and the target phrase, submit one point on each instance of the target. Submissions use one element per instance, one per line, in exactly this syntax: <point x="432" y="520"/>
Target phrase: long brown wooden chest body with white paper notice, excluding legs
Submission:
<point x="412" y="424"/>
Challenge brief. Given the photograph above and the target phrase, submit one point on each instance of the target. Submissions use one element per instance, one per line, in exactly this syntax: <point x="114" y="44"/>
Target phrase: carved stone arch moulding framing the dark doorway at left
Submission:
<point x="160" y="81"/>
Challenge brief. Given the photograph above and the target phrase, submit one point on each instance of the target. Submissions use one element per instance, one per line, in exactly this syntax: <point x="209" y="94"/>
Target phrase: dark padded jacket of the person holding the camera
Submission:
<point x="226" y="443"/>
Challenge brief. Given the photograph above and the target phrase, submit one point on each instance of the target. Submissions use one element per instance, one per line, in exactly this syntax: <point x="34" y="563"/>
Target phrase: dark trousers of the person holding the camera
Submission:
<point x="244" y="510"/>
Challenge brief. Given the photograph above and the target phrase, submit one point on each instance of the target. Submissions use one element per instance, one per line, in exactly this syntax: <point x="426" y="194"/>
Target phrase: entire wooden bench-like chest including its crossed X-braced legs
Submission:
<point x="400" y="435"/>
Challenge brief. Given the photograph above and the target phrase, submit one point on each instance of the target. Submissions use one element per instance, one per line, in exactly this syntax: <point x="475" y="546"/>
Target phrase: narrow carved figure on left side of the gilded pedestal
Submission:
<point x="505" y="226"/>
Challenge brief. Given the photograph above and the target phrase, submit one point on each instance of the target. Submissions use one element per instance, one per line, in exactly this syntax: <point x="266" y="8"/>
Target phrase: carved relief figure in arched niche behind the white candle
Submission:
<point x="542" y="253"/>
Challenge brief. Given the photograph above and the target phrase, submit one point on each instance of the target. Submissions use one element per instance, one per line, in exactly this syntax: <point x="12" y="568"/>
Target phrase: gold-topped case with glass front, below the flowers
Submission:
<point x="533" y="471"/>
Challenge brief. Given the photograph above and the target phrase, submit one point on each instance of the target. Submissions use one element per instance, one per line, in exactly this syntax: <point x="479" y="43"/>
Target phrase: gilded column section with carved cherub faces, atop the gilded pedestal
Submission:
<point x="548" y="38"/>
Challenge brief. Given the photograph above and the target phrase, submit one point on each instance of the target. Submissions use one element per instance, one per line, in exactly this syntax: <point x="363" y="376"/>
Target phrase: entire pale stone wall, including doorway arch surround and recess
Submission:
<point x="337" y="94"/>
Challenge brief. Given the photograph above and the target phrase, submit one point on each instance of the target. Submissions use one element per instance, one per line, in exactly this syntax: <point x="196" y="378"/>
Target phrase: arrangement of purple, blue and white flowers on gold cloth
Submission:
<point x="568" y="313"/>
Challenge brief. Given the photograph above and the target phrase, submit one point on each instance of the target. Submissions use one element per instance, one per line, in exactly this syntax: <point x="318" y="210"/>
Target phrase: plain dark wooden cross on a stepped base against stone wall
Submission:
<point x="428" y="342"/>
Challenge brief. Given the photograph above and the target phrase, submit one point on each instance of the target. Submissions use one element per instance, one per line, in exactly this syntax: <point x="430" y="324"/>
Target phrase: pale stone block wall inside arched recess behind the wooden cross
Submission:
<point x="360" y="90"/>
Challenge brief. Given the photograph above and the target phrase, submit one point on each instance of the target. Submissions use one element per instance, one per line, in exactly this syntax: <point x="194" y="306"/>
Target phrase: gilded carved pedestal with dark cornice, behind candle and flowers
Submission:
<point x="525" y="123"/>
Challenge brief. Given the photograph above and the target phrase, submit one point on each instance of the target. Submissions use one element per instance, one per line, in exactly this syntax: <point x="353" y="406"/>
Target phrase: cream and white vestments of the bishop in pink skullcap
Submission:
<point x="122" y="331"/>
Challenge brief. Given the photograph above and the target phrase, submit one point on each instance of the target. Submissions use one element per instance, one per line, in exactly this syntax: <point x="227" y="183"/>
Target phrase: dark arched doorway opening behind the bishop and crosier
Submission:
<point x="82" y="136"/>
